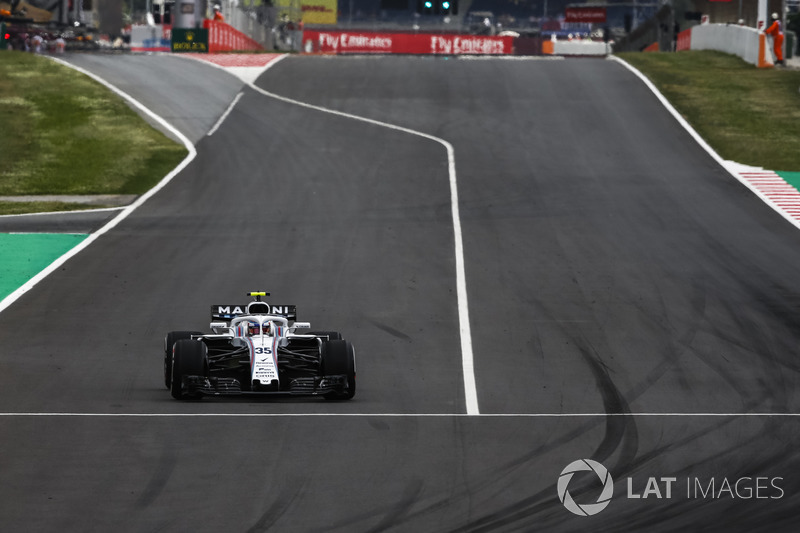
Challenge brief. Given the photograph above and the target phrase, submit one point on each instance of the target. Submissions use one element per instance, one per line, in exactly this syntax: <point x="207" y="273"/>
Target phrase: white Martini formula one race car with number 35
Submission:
<point x="254" y="350"/>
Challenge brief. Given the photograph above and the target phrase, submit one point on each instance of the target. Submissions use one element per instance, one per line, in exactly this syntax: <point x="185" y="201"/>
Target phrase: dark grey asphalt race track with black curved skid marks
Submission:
<point x="630" y="303"/>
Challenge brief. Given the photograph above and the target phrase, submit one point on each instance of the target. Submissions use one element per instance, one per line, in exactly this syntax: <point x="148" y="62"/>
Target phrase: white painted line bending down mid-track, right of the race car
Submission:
<point x="467" y="358"/>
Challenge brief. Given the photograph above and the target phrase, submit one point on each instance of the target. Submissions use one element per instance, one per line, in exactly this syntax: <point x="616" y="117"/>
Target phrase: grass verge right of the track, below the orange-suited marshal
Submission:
<point x="748" y="115"/>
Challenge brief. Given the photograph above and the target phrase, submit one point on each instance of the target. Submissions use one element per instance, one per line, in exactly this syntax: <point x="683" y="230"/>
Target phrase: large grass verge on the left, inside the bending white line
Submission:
<point x="64" y="133"/>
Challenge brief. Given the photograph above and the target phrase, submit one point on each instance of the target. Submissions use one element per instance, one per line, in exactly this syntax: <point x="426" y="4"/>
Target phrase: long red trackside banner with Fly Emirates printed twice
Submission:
<point x="344" y="42"/>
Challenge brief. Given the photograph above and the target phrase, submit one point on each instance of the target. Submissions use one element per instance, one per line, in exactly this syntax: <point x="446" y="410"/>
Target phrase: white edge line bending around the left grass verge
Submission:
<point x="14" y="296"/>
